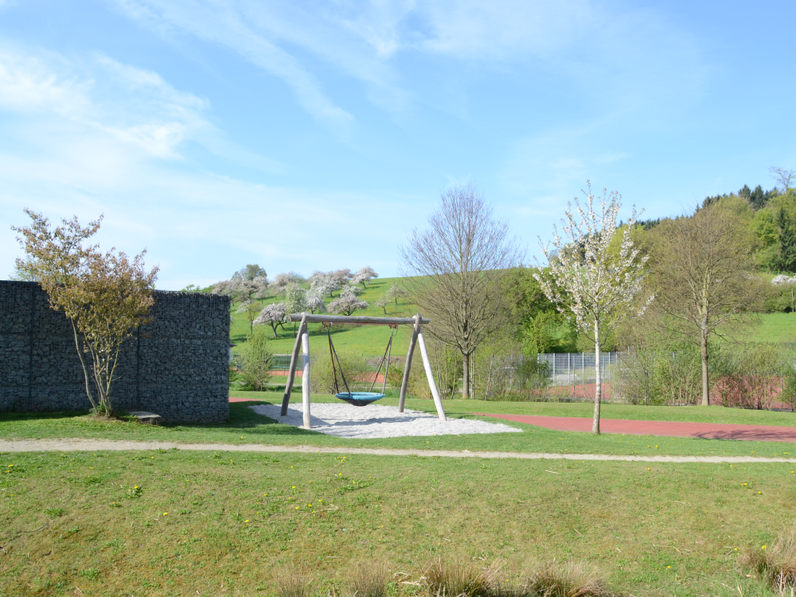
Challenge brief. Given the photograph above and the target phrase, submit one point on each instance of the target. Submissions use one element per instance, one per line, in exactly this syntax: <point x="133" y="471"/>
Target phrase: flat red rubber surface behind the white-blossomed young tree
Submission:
<point x="664" y="428"/>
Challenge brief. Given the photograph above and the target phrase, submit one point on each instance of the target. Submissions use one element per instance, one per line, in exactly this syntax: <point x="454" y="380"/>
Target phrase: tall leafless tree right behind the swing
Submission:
<point x="458" y="263"/>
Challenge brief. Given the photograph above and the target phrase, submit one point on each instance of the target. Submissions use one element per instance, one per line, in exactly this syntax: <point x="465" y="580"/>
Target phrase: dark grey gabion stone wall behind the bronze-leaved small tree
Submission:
<point x="177" y="366"/>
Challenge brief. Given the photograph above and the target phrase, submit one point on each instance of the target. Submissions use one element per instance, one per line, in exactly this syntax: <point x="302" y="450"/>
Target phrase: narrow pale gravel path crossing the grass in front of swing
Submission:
<point x="88" y="445"/>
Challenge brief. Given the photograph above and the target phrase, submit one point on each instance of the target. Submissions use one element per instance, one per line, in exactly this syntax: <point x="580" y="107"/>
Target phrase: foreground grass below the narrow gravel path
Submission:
<point x="219" y="523"/>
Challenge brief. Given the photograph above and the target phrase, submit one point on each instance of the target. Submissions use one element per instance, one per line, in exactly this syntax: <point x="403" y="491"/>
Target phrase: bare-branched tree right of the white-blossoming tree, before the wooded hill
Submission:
<point x="704" y="270"/>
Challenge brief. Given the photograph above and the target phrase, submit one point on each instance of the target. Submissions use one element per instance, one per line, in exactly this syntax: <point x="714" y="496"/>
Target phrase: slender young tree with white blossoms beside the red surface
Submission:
<point x="591" y="284"/>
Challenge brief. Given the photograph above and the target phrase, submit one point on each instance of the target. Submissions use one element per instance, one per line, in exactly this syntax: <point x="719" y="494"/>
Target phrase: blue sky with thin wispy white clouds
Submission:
<point x="307" y="136"/>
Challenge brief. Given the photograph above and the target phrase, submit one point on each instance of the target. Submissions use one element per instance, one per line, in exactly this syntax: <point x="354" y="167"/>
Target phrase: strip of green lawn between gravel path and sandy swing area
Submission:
<point x="247" y="427"/>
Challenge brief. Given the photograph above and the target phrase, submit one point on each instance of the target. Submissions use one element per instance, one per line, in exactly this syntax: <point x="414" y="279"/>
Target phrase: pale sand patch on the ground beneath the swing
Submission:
<point x="345" y="420"/>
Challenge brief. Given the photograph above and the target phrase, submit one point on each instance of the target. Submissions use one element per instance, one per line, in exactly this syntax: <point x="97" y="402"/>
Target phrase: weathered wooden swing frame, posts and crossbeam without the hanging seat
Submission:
<point x="303" y="343"/>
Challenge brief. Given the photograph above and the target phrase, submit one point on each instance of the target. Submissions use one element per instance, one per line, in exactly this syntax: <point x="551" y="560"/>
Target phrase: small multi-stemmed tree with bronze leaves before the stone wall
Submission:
<point x="104" y="296"/>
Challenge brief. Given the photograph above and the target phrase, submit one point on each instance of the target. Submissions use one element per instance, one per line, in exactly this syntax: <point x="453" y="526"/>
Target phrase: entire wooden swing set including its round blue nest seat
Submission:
<point x="356" y="398"/>
